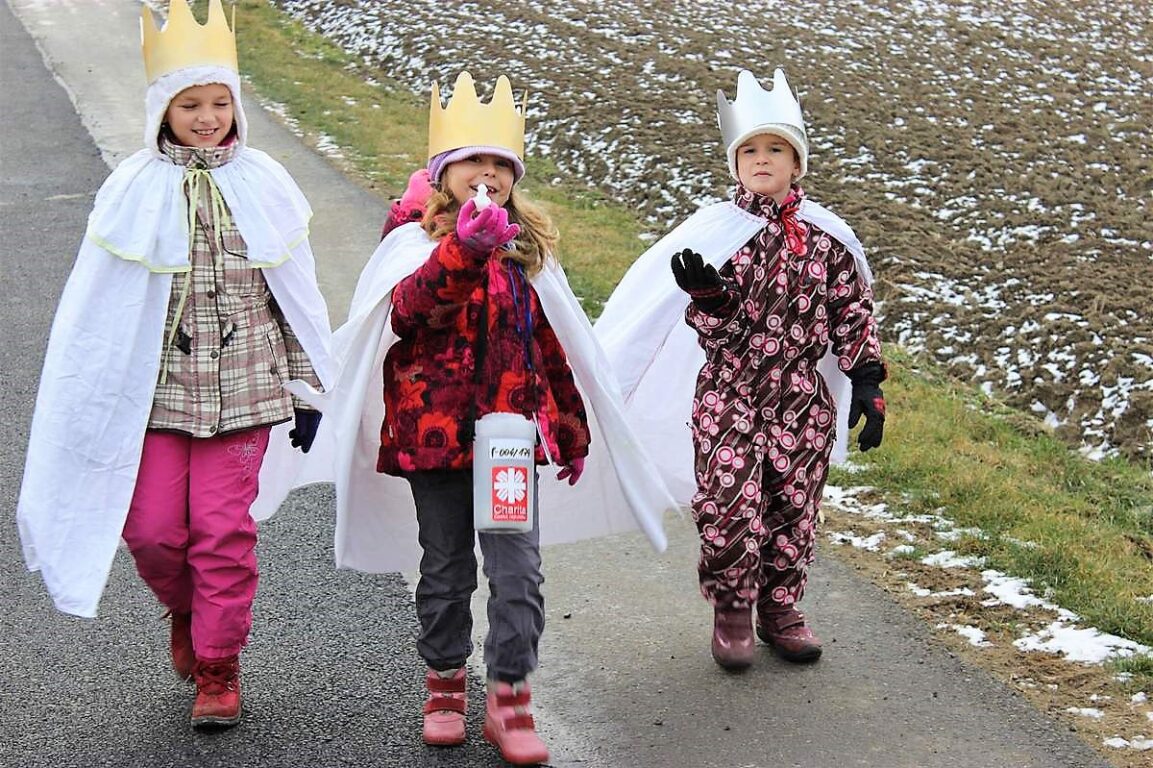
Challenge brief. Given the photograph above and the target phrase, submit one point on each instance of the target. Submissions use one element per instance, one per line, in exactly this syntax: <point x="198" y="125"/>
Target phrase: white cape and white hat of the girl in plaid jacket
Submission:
<point x="105" y="348"/>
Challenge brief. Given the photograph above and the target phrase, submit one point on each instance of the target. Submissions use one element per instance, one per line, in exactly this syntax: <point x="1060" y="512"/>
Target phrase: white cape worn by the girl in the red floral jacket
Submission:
<point x="376" y="519"/>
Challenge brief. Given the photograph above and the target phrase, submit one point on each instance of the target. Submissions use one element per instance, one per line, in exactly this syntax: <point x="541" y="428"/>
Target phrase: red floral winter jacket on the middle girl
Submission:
<point x="429" y="375"/>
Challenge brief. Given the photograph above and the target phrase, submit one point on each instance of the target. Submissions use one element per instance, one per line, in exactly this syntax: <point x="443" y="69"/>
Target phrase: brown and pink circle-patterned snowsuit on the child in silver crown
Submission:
<point x="764" y="421"/>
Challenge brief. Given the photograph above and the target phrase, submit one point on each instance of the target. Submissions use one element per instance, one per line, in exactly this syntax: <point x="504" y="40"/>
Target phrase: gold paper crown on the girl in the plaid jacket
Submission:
<point x="185" y="43"/>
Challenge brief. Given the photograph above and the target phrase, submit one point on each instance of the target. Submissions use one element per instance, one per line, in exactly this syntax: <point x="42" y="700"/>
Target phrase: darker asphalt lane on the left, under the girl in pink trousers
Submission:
<point x="330" y="675"/>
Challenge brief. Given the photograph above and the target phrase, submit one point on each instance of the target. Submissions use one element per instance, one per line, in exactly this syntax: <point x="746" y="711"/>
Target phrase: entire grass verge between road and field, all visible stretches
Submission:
<point x="1081" y="531"/>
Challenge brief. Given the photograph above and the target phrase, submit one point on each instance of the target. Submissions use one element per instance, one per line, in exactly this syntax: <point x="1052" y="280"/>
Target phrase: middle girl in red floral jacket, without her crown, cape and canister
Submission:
<point x="473" y="340"/>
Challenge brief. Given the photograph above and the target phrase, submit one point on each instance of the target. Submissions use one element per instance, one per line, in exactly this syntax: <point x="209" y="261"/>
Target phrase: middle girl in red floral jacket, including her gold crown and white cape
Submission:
<point x="464" y="313"/>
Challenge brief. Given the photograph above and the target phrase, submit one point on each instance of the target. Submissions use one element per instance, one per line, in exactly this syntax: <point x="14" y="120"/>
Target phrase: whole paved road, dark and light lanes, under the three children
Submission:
<point x="331" y="675"/>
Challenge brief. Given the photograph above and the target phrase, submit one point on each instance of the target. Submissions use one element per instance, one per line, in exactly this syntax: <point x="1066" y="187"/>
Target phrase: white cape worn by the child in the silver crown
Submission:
<point x="657" y="355"/>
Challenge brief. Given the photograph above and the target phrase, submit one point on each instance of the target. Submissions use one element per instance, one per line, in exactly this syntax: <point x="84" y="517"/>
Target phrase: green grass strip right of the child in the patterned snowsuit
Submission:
<point x="1081" y="531"/>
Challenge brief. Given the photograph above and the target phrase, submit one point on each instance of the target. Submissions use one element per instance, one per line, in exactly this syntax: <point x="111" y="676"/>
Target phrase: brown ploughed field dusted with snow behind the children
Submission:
<point x="996" y="160"/>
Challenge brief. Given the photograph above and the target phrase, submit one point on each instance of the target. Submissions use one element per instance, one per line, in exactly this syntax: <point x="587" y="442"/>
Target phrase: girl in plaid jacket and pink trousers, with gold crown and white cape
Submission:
<point x="192" y="304"/>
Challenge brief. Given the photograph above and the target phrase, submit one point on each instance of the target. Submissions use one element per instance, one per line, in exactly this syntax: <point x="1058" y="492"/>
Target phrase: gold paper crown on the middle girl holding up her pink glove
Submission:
<point x="468" y="123"/>
